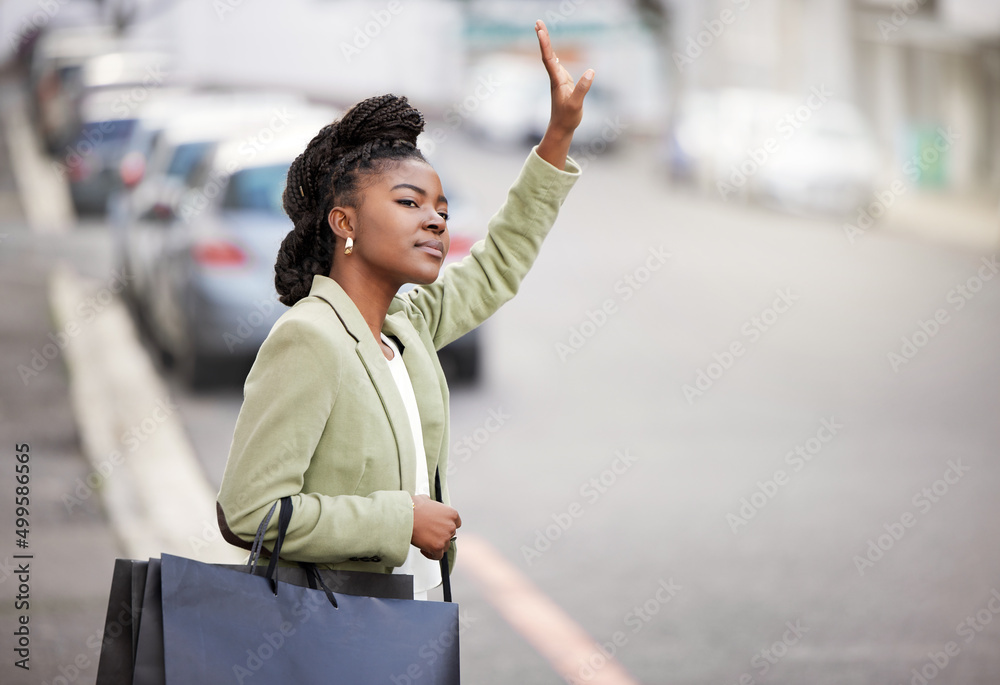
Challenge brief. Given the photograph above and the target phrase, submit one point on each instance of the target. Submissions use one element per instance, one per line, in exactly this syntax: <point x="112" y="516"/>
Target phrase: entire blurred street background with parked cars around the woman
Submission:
<point x="740" y="426"/>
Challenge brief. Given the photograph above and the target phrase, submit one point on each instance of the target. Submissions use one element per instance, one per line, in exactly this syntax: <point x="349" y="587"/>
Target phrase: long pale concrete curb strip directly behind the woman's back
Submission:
<point x="144" y="468"/>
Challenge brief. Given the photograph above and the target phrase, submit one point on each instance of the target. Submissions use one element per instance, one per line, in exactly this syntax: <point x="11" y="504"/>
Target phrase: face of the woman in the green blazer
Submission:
<point x="401" y="232"/>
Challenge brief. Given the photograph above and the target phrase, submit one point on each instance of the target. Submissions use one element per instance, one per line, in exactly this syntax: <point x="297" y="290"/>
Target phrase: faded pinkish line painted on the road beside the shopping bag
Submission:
<point x="536" y="617"/>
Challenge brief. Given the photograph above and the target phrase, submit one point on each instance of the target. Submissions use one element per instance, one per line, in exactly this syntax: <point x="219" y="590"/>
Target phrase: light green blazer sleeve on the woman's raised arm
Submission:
<point x="470" y="291"/>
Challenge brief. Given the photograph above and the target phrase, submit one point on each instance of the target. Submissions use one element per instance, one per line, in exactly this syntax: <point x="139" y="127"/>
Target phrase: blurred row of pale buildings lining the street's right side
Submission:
<point x="926" y="73"/>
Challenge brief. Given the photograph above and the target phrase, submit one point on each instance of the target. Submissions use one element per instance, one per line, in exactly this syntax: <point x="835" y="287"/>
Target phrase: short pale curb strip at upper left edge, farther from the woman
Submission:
<point x="44" y="195"/>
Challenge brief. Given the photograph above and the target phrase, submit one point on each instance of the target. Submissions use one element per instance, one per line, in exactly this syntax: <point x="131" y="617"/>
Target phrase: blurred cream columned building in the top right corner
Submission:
<point x="924" y="65"/>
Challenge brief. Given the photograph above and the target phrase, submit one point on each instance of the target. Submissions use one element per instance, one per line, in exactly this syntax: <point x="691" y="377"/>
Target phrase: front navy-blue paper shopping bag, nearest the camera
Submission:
<point x="223" y="626"/>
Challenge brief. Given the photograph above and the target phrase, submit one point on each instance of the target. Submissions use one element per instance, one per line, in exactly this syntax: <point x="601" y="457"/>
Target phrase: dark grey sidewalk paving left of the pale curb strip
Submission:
<point x="71" y="541"/>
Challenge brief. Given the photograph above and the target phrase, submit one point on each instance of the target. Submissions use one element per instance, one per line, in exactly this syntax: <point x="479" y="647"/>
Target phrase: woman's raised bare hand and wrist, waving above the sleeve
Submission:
<point x="567" y="102"/>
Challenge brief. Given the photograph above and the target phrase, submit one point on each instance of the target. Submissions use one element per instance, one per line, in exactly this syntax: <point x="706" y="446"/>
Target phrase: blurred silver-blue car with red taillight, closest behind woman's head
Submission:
<point x="210" y="296"/>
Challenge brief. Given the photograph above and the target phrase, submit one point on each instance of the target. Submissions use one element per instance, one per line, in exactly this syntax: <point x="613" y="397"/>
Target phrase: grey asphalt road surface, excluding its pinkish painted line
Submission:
<point x="693" y="434"/>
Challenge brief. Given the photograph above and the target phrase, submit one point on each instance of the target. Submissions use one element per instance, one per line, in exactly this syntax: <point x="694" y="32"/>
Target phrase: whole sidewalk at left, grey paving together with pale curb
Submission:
<point x="75" y="387"/>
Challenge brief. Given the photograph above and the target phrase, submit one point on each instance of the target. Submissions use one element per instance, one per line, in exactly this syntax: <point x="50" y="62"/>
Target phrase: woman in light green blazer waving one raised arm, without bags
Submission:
<point x="346" y="406"/>
